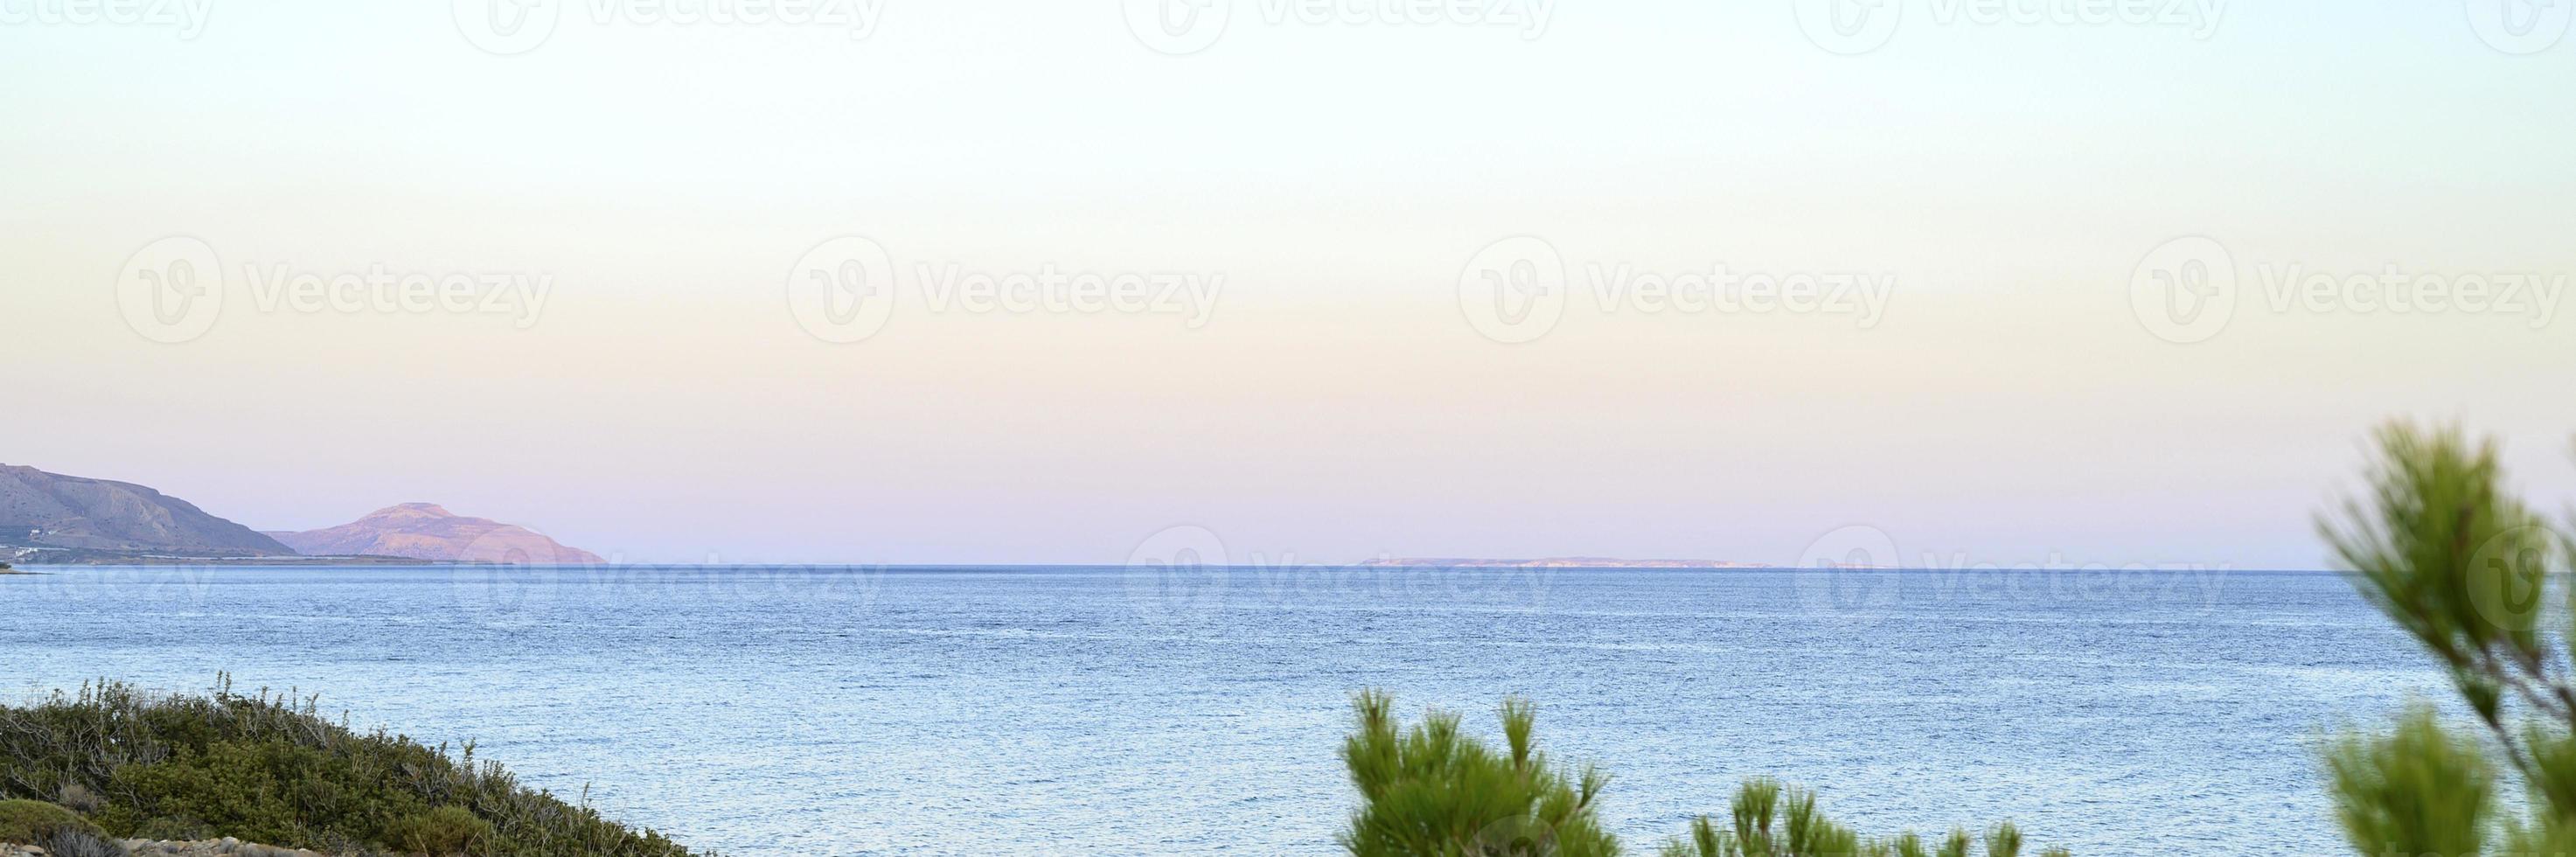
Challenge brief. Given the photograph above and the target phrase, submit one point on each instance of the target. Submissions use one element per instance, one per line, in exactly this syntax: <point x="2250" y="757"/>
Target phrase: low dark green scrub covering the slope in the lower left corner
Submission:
<point x="267" y="768"/>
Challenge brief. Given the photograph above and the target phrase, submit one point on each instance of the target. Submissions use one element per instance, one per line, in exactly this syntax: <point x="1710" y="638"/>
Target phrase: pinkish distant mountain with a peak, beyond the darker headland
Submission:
<point x="429" y="531"/>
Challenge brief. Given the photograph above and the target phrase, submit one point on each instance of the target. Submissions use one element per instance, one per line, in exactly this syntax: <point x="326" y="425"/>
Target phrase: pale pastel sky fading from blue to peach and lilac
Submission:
<point x="1042" y="282"/>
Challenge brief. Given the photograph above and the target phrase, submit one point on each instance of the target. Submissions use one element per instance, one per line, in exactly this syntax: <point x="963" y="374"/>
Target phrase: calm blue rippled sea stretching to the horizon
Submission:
<point x="1112" y="712"/>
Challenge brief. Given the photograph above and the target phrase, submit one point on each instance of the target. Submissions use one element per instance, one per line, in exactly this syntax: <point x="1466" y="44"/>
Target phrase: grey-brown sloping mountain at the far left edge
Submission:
<point x="53" y="511"/>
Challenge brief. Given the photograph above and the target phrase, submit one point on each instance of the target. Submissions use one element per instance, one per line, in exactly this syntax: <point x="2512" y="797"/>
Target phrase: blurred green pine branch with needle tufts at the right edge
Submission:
<point x="2467" y="570"/>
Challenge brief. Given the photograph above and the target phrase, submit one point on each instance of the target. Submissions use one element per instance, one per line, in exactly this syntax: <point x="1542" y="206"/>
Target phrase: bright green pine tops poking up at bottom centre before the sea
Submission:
<point x="1434" y="791"/>
